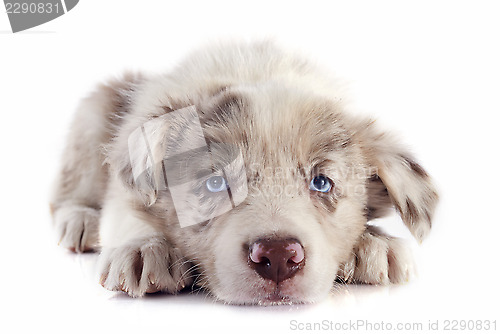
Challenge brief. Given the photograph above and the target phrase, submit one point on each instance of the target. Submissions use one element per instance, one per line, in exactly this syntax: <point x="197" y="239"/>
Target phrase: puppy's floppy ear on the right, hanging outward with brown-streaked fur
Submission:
<point x="398" y="181"/>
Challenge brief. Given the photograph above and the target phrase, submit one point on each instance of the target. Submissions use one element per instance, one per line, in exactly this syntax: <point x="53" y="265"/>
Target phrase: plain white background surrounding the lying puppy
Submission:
<point x="427" y="69"/>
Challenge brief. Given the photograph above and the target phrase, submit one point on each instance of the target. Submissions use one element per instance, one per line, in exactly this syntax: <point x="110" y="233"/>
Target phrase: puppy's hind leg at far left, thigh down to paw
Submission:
<point x="81" y="184"/>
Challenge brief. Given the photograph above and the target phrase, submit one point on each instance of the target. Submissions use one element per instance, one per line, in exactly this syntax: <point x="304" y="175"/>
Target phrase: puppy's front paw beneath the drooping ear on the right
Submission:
<point x="377" y="259"/>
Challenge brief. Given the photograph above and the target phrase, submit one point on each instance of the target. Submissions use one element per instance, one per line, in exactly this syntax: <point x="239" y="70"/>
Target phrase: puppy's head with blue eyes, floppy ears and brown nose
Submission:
<point x="272" y="184"/>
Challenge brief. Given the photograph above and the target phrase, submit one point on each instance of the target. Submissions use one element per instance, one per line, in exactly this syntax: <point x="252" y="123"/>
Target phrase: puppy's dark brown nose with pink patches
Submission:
<point x="276" y="260"/>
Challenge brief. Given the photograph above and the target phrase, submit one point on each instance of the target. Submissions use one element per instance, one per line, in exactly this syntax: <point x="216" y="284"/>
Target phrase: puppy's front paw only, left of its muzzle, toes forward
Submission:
<point x="144" y="266"/>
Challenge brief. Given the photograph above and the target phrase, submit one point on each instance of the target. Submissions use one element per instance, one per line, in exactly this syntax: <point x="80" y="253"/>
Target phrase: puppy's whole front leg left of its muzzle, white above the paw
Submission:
<point x="137" y="257"/>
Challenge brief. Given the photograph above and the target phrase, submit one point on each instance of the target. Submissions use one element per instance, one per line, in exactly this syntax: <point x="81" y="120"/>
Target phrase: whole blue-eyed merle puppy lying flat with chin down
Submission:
<point x="237" y="173"/>
